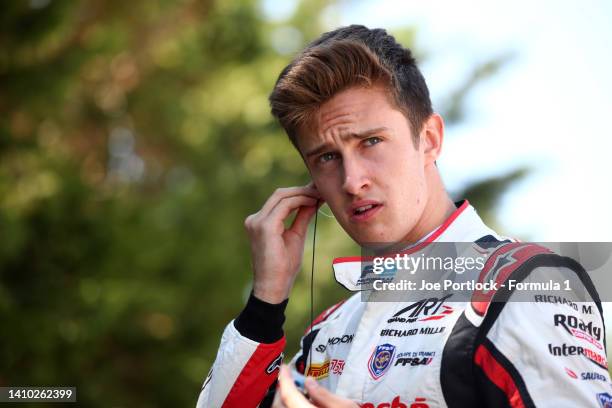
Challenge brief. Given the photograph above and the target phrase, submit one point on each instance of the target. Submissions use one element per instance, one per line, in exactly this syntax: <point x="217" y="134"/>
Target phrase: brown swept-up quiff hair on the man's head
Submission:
<point x="349" y="56"/>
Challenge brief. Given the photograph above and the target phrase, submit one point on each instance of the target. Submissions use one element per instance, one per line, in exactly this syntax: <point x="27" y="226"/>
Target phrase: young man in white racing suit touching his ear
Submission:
<point x="358" y="110"/>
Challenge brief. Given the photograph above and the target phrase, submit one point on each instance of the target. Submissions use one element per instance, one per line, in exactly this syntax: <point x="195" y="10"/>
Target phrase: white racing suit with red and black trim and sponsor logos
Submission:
<point x="486" y="351"/>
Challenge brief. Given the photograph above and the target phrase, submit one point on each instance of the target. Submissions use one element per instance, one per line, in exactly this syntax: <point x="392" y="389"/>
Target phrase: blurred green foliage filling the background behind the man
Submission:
<point x="135" y="138"/>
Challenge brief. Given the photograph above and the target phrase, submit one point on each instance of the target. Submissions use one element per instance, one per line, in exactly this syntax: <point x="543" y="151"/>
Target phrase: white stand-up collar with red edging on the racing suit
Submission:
<point x="463" y="225"/>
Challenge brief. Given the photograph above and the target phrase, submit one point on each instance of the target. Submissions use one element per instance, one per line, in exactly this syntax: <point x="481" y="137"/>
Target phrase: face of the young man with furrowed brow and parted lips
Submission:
<point x="363" y="162"/>
